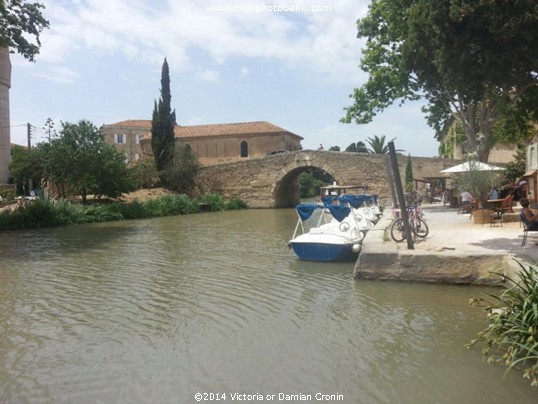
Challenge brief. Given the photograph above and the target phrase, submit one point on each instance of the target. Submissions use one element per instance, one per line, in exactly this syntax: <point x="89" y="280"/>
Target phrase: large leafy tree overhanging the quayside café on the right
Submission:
<point x="471" y="60"/>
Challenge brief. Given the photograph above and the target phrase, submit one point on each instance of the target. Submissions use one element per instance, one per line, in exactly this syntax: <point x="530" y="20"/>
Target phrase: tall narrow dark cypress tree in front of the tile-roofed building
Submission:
<point x="162" y="126"/>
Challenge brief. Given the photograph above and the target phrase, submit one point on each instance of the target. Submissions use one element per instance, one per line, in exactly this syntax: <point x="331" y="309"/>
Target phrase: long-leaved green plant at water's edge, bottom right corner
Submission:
<point x="511" y="338"/>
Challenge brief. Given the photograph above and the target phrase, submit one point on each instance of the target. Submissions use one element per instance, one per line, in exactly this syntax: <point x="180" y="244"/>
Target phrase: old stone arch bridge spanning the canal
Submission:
<point x="273" y="181"/>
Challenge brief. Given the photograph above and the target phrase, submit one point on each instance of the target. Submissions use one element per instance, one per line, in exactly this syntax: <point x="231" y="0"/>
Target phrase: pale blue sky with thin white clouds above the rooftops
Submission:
<point x="101" y="60"/>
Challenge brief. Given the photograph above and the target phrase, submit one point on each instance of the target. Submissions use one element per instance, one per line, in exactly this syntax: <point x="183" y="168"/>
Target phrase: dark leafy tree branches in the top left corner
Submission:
<point x="19" y="21"/>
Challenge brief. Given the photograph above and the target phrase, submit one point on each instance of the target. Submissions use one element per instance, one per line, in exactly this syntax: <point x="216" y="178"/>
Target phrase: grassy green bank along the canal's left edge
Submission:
<point x="62" y="212"/>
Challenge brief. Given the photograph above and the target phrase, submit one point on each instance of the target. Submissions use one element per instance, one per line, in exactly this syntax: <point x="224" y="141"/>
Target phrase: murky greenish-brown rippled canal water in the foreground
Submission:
<point x="160" y="310"/>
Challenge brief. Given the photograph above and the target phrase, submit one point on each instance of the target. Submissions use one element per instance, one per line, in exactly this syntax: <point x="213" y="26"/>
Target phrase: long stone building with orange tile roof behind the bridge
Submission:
<point x="212" y="144"/>
